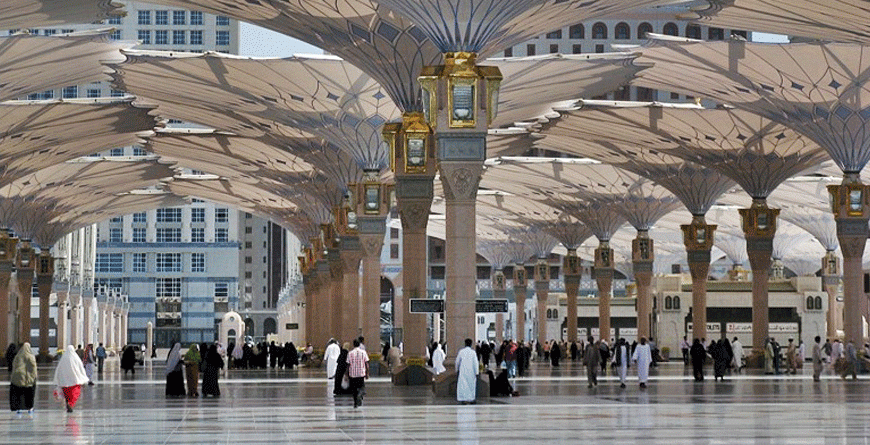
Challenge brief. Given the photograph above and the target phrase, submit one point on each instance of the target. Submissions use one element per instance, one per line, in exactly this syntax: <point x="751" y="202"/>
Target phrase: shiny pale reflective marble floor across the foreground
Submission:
<point x="555" y="406"/>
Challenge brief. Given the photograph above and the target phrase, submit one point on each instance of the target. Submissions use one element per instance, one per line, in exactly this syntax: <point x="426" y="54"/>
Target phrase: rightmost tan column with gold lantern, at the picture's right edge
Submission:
<point x="850" y="202"/>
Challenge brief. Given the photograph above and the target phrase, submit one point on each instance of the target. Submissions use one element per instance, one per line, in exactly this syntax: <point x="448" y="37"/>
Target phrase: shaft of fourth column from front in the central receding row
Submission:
<point x="351" y="255"/>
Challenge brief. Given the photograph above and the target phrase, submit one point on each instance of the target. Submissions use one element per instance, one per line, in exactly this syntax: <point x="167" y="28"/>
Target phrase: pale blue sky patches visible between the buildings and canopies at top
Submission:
<point x="260" y="42"/>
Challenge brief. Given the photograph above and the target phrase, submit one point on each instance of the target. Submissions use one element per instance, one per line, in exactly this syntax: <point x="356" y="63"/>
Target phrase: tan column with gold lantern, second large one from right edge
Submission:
<point x="759" y="228"/>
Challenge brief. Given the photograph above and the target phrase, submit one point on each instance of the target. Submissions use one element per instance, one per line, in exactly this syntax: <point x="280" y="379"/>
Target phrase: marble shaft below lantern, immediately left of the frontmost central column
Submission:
<point x="414" y="196"/>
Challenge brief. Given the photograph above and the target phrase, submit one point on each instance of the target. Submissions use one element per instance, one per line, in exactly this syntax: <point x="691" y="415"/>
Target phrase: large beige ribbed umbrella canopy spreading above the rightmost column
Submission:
<point x="826" y="99"/>
